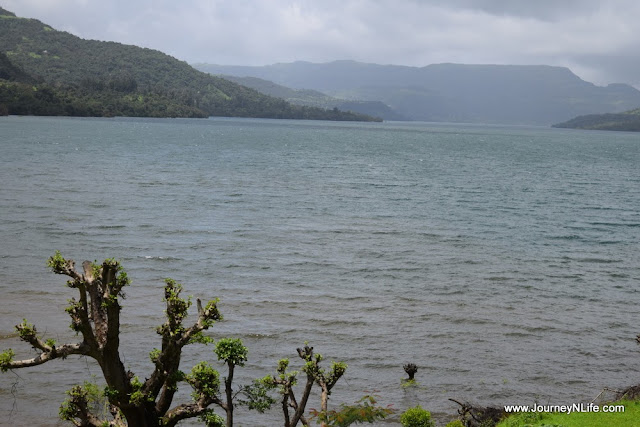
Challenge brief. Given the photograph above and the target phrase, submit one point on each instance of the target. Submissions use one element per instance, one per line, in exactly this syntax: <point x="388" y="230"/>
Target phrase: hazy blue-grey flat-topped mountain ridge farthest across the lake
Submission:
<point x="509" y="94"/>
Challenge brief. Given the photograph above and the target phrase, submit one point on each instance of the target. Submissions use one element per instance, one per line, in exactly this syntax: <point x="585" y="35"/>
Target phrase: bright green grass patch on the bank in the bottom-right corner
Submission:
<point x="629" y="418"/>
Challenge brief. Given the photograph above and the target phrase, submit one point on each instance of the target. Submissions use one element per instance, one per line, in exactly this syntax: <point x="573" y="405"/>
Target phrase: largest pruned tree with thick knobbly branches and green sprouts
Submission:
<point x="95" y="316"/>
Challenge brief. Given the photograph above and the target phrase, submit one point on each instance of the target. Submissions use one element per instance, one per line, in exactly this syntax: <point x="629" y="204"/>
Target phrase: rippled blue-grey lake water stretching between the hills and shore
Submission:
<point x="503" y="261"/>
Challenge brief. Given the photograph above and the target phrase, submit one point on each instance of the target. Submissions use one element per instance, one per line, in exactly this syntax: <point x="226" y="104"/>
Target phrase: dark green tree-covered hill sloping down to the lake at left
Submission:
<point x="89" y="77"/>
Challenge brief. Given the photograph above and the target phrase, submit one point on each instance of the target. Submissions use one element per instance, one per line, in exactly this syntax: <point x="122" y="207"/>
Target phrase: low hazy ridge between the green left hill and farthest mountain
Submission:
<point x="313" y="98"/>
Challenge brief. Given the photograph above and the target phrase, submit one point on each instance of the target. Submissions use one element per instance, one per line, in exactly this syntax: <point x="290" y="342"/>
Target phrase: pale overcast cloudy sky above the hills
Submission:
<point x="599" y="40"/>
